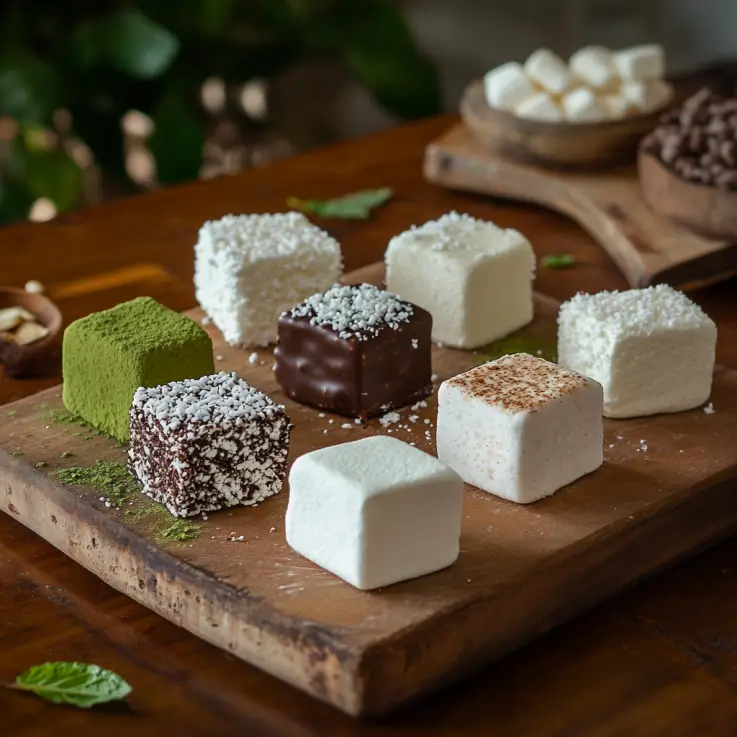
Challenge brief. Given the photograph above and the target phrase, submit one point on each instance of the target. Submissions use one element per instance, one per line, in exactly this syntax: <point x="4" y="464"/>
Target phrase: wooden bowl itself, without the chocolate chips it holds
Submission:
<point x="702" y="208"/>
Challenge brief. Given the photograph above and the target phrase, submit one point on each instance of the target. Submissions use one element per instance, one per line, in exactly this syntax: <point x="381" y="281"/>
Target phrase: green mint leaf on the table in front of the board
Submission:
<point x="77" y="684"/>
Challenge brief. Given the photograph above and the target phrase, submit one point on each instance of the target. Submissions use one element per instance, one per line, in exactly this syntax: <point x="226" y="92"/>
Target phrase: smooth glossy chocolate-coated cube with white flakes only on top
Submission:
<point x="355" y="350"/>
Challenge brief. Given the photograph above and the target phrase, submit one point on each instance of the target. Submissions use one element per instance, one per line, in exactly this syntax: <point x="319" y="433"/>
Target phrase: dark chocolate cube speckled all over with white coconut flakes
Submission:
<point x="200" y="445"/>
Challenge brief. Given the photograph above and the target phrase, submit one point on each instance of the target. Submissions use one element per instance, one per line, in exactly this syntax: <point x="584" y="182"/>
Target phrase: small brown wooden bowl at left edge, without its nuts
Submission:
<point x="42" y="357"/>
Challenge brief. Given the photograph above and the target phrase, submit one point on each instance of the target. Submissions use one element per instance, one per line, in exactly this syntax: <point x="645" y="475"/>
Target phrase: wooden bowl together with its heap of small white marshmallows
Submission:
<point x="590" y="112"/>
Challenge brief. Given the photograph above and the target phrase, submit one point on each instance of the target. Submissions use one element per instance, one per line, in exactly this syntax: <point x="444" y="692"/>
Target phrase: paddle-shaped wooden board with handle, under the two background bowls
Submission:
<point x="647" y="247"/>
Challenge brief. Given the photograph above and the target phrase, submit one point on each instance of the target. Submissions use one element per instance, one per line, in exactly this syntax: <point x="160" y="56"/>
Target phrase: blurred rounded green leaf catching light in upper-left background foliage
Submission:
<point x="138" y="46"/>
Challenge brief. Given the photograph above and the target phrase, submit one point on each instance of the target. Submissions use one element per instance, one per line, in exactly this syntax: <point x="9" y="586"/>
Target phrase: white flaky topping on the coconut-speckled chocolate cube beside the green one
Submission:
<point x="219" y="398"/>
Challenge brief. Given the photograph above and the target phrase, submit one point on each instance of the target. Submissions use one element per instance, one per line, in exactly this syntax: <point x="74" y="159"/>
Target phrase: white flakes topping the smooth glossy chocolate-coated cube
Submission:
<point x="360" y="310"/>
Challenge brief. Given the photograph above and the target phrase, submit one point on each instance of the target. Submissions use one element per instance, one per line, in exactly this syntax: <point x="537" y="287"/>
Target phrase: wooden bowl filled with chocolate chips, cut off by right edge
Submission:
<point x="688" y="165"/>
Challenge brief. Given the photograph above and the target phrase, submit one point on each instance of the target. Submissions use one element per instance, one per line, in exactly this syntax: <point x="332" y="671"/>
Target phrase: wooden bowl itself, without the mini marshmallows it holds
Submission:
<point x="555" y="145"/>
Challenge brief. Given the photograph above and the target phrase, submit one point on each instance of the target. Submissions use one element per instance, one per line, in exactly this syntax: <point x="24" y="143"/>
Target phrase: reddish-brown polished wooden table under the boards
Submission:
<point x="659" y="660"/>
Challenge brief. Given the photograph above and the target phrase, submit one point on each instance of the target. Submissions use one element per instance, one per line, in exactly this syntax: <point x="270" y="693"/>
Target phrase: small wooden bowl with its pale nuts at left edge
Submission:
<point x="30" y="333"/>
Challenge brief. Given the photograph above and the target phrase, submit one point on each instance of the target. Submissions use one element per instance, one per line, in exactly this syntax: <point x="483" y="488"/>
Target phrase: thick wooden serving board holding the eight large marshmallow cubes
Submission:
<point x="521" y="571"/>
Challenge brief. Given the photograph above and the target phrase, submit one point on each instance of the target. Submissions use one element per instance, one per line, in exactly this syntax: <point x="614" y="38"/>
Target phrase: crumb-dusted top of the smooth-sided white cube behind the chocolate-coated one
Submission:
<point x="458" y="232"/>
